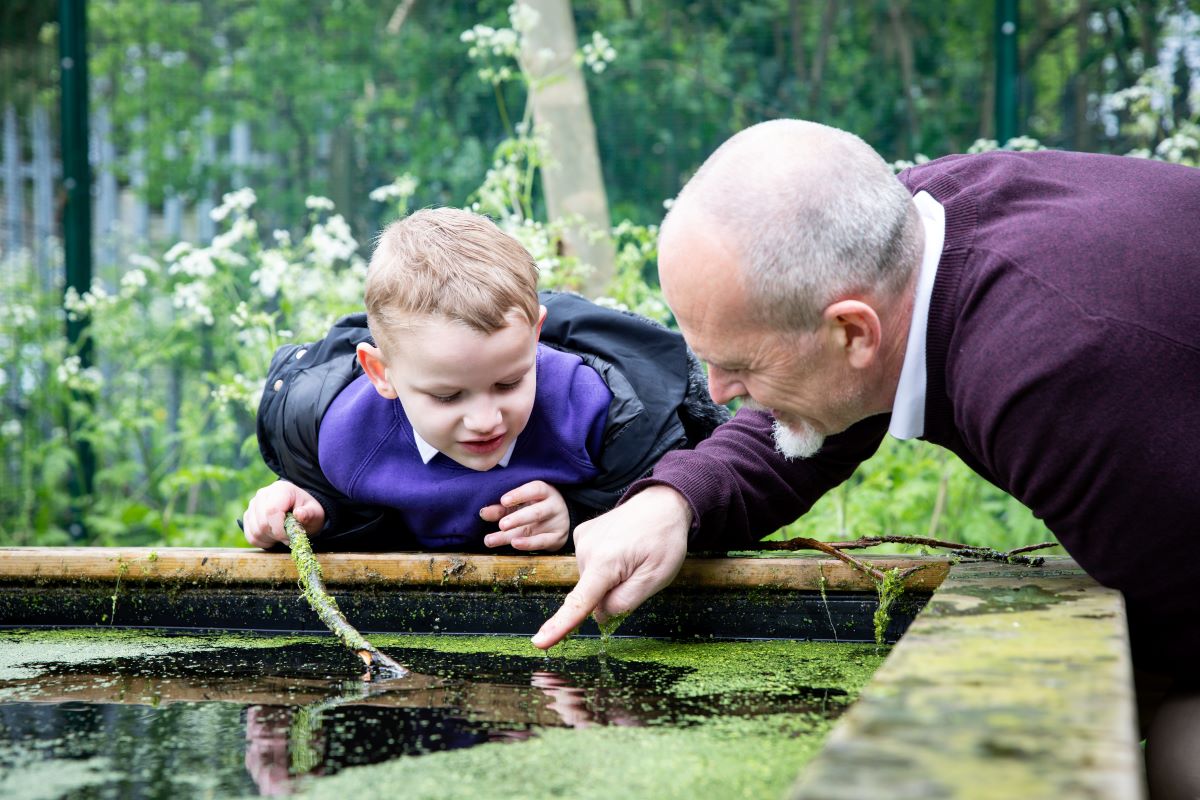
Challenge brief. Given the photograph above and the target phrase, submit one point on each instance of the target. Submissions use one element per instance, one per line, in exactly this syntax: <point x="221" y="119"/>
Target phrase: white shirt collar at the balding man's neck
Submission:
<point x="909" y="408"/>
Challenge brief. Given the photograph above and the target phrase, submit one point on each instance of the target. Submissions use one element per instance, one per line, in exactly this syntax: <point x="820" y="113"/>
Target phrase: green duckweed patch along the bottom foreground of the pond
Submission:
<point x="724" y="759"/>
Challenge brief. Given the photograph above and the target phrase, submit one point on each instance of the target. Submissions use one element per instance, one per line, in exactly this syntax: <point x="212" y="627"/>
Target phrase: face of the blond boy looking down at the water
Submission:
<point x="467" y="394"/>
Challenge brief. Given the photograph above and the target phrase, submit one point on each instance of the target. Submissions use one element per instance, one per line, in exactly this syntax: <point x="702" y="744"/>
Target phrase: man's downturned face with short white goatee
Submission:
<point x="800" y="378"/>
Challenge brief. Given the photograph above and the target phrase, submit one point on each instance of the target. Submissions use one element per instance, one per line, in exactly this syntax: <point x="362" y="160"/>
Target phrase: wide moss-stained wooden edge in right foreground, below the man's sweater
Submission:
<point x="1012" y="683"/>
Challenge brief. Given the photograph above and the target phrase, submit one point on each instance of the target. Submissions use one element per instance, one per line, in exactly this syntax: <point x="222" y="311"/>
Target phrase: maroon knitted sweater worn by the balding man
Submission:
<point x="1064" y="366"/>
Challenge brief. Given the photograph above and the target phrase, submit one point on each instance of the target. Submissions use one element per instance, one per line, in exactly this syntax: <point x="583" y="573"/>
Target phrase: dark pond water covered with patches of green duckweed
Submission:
<point x="135" y="714"/>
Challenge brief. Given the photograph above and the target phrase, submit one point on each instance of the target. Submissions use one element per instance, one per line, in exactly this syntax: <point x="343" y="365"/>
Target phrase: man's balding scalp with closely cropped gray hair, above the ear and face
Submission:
<point x="813" y="213"/>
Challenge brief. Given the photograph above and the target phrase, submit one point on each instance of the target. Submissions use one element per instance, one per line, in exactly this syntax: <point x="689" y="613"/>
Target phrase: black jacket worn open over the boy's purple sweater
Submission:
<point x="661" y="402"/>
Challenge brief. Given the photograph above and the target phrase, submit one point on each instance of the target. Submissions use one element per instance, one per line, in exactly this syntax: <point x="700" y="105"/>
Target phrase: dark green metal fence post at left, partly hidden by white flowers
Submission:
<point x="76" y="194"/>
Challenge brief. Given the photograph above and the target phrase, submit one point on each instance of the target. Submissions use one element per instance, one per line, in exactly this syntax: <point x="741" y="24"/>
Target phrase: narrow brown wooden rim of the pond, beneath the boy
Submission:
<point x="247" y="567"/>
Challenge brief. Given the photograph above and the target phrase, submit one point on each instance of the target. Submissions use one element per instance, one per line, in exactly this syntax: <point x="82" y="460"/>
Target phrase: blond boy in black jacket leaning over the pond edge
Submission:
<point x="466" y="410"/>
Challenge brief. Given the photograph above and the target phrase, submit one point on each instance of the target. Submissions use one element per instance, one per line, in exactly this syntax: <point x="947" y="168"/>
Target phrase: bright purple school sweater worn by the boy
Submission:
<point x="368" y="453"/>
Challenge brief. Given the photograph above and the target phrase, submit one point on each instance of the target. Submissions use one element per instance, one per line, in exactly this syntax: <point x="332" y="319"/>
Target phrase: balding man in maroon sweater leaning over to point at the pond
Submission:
<point x="1039" y="315"/>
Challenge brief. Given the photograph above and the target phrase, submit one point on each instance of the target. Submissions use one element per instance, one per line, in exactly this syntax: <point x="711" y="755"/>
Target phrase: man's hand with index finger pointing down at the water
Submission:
<point x="625" y="557"/>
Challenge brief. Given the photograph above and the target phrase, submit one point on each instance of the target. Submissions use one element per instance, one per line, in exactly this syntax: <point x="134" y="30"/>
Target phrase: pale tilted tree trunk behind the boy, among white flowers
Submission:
<point x="573" y="184"/>
